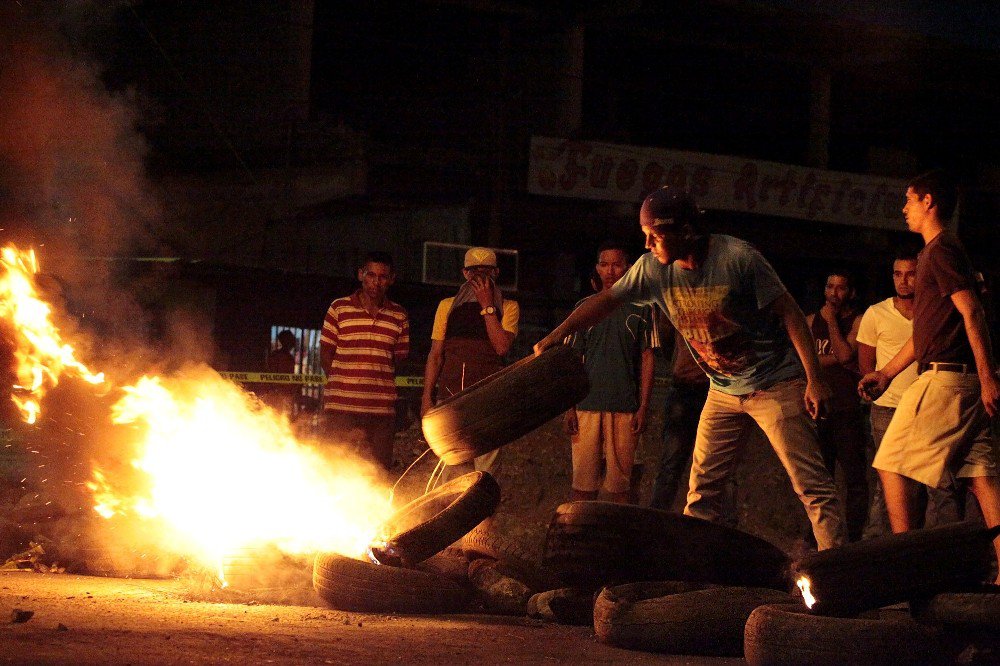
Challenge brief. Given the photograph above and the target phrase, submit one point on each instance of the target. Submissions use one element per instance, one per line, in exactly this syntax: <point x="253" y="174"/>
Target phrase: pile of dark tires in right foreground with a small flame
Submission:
<point x="660" y="582"/>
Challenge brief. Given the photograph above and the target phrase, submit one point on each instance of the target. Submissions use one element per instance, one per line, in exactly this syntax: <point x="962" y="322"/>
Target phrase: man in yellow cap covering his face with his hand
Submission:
<point x="473" y="330"/>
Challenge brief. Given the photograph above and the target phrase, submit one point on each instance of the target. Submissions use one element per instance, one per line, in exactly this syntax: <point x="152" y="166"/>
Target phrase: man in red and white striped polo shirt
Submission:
<point x="364" y="336"/>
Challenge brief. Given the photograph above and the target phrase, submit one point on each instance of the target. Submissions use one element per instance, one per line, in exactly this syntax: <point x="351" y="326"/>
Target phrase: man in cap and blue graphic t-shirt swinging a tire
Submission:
<point x="749" y="336"/>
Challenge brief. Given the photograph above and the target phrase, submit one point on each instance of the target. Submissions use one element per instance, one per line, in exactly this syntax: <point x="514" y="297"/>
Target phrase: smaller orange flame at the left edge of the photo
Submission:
<point x="39" y="352"/>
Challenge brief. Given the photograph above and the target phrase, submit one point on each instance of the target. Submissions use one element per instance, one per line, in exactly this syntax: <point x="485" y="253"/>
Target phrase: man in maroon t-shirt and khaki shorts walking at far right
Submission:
<point x="941" y="428"/>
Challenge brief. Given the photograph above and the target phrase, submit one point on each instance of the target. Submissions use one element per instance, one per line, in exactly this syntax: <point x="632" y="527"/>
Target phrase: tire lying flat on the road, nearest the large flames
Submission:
<point x="352" y="585"/>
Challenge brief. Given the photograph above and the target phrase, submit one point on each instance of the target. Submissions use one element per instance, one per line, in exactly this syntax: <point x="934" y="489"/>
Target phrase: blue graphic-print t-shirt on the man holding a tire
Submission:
<point x="720" y="310"/>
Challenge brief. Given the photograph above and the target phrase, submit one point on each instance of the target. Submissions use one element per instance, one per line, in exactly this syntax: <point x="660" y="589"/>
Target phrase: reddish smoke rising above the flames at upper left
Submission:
<point x="72" y="175"/>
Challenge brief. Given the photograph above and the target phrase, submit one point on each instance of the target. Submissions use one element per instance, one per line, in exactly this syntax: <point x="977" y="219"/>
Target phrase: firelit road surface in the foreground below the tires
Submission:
<point x="83" y="619"/>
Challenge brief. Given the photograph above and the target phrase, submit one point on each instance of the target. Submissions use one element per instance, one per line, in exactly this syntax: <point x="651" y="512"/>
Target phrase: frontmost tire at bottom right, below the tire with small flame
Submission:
<point x="788" y="634"/>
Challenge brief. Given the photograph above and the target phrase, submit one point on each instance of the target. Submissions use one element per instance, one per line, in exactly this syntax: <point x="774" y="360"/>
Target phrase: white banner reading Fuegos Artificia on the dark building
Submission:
<point x="612" y="172"/>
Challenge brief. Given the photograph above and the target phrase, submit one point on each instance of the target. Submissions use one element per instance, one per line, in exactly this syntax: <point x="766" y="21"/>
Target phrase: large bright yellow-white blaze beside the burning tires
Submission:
<point x="225" y="473"/>
